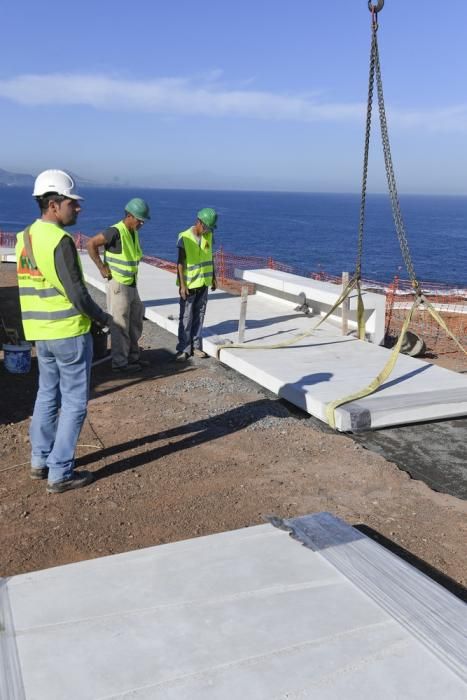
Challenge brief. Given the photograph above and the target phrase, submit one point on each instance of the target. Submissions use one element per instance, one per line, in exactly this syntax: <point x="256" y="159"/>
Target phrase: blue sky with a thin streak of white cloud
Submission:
<point x="251" y="94"/>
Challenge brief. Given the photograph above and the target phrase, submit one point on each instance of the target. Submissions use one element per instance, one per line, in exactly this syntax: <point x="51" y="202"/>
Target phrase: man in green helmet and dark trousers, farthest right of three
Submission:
<point x="195" y="273"/>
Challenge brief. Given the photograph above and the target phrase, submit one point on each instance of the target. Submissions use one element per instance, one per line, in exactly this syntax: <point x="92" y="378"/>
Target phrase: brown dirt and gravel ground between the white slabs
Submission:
<point x="182" y="451"/>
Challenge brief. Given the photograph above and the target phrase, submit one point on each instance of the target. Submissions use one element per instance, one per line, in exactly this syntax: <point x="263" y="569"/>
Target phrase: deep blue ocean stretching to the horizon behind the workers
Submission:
<point x="309" y="231"/>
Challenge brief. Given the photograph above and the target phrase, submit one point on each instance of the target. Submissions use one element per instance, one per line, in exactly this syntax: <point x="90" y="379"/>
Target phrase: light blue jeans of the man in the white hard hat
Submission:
<point x="64" y="376"/>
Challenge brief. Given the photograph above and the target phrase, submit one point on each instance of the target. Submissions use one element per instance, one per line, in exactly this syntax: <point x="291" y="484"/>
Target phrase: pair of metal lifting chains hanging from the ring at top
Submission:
<point x="375" y="70"/>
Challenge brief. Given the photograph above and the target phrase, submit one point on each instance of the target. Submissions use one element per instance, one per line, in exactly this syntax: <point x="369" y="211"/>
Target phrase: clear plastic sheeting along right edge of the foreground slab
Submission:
<point x="432" y="614"/>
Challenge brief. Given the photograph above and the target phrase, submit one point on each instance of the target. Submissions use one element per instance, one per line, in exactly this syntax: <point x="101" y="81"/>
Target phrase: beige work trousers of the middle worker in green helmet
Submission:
<point x="127" y="310"/>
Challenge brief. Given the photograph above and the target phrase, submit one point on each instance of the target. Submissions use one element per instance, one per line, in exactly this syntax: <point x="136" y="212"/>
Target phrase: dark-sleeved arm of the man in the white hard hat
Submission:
<point x="70" y="275"/>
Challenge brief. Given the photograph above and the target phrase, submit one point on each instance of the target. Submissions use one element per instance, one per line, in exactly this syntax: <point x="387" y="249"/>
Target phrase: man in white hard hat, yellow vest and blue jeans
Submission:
<point x="56" y="311"/>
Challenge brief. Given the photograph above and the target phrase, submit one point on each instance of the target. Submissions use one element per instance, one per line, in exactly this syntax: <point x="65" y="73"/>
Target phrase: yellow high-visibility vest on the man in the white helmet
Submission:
<point x="46" y="311"/>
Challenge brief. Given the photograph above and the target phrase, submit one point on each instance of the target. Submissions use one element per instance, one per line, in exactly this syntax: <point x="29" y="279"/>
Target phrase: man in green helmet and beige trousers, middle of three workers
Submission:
<point x="120" y="266"/>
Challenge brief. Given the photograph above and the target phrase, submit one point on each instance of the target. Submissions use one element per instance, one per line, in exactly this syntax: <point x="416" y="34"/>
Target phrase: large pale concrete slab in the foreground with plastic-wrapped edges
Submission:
<point x="245" y="614"/>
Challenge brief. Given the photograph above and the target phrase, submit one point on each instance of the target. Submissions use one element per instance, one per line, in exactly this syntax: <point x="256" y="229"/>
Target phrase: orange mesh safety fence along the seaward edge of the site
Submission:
<point x="449" y="301"/>
